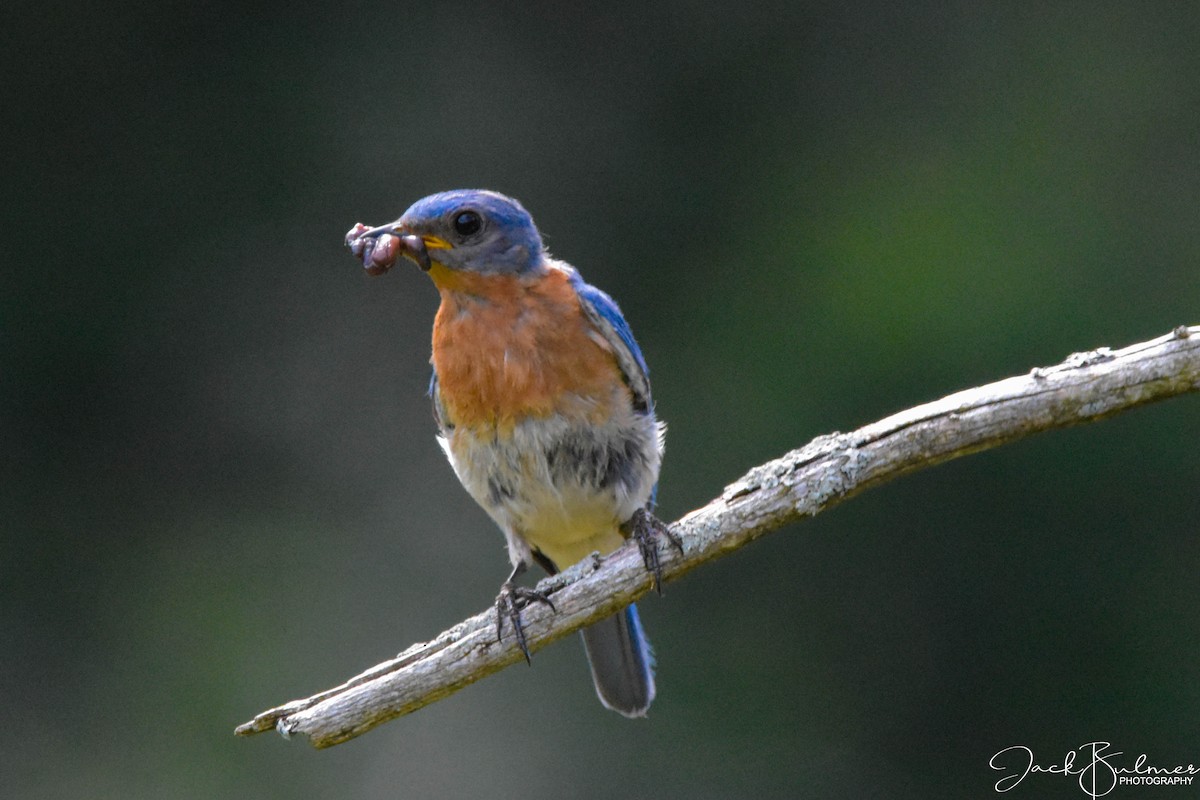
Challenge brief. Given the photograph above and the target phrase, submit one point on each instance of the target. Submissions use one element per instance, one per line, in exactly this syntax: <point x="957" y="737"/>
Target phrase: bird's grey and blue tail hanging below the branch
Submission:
<point x="622" y="663"/>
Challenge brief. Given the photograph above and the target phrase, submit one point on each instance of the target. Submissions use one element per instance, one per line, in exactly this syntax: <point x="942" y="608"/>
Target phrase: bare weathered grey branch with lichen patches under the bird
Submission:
<point x="1085" y="388"/>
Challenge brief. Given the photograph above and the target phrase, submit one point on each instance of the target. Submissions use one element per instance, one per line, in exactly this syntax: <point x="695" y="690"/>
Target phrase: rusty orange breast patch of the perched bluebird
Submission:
<point x="509" y="347"/>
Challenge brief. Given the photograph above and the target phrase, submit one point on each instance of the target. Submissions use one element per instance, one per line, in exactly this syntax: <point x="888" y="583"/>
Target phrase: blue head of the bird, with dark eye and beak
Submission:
<point x="475" y="231"/>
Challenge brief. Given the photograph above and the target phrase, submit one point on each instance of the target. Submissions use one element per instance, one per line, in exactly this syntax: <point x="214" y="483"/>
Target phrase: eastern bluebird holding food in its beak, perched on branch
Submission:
<point x="544" y="407"/>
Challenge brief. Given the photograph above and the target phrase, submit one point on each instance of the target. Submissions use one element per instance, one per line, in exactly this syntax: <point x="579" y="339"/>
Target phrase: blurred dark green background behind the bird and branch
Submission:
<point x="221" y="489"/>
